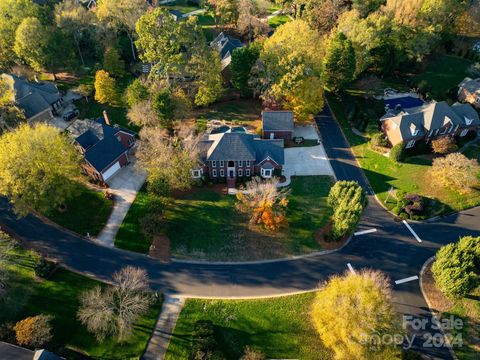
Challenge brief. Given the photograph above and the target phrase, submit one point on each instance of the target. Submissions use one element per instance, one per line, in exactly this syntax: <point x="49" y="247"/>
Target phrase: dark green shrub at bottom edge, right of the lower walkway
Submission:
<point x="204" y="344"/>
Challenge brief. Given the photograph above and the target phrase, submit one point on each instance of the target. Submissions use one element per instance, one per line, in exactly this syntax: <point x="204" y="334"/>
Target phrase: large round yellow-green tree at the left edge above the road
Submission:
<point x="37" y="168"/>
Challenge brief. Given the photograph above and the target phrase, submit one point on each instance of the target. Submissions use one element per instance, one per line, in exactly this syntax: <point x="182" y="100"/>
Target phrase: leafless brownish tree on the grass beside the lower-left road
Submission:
<point x="112" y="311"/>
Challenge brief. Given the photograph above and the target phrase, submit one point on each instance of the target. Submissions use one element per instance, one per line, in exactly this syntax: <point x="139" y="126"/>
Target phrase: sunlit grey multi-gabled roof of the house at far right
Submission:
<point x="429" y="117"/>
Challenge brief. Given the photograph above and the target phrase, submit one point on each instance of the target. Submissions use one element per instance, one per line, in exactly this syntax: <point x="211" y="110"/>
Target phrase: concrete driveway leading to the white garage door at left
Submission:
<point x="125" y="186"/>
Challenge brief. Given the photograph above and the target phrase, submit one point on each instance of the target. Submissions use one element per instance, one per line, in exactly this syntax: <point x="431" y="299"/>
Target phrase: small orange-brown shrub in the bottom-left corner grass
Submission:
<point x="34" y="331"/>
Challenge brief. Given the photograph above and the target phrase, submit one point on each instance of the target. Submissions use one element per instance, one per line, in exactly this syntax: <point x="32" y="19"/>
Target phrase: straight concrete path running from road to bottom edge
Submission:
<point x="158" y="344"/>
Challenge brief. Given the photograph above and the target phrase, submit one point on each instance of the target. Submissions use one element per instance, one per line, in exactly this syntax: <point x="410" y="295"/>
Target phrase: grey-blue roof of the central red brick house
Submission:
<point x="241" y="147"/>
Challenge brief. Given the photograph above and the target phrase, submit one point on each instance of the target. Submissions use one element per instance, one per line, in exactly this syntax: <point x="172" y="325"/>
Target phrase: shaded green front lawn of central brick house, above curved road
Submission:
<point x="206" y="225"/>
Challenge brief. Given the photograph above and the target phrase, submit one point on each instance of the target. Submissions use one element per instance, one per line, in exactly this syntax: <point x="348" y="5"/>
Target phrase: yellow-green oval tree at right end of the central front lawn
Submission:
<point x="347" y="200"/>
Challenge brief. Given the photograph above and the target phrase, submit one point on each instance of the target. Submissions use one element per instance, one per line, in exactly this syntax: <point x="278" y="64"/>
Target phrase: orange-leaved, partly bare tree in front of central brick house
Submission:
<point x="265" y="202"/>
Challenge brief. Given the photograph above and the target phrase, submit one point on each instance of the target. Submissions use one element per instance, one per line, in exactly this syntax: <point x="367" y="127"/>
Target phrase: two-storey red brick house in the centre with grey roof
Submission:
<point x="229" y="156"/>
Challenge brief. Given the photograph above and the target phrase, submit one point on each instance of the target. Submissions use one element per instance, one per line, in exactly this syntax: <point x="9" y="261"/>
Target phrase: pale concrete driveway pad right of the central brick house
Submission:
<point x="304" y="161"/>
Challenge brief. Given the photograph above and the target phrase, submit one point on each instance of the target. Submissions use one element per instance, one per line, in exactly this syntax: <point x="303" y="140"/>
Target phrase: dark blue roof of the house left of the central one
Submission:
<point x="100" y="143"/>
